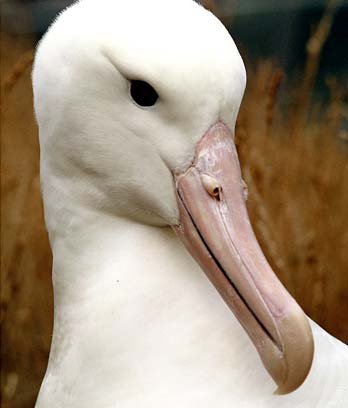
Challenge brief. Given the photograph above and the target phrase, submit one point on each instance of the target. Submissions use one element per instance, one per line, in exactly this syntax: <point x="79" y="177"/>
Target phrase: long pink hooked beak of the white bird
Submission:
<point x="216" y="230"/>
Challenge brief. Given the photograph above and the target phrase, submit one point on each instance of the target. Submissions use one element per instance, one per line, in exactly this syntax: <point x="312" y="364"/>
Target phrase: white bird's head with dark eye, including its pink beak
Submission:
<point x="136" y="104"/>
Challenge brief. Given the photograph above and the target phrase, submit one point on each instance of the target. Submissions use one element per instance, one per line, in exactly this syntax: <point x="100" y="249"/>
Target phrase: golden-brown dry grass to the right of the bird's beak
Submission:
<point x="298" y="202"/>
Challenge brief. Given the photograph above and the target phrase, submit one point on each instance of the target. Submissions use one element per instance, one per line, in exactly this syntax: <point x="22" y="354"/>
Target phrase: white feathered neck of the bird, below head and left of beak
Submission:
<point x="130" y="300"/>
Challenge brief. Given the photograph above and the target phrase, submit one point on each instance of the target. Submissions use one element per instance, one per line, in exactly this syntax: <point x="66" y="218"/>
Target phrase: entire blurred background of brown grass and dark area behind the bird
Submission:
<point x="292" y="137"/>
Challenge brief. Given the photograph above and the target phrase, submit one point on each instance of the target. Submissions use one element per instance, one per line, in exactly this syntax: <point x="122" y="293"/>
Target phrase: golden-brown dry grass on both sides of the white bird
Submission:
<point x="295" y="161"/>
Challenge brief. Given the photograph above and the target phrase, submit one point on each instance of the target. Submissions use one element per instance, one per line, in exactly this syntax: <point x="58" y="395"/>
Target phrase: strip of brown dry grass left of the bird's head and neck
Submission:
<point x="26" y="293"/>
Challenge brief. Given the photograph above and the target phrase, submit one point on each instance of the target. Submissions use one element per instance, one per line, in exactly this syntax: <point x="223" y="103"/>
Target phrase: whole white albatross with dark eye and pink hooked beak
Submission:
<point x="136" y="103"/>
